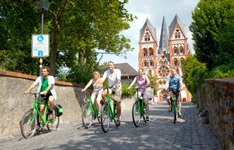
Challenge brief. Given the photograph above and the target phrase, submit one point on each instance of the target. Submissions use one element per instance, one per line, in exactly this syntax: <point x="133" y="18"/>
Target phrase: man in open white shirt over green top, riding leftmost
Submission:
<point x="47" y="90"/>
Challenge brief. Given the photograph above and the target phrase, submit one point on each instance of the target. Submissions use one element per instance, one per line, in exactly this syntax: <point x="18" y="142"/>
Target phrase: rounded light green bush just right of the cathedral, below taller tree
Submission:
<point x="193" y="73"/>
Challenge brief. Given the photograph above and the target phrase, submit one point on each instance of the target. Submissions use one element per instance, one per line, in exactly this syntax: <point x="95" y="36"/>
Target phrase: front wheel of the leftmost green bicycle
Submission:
<point x="28" y="124"/>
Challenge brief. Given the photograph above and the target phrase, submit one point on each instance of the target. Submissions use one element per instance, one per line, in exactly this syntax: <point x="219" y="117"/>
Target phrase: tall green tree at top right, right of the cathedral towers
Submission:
<point x="210" y="17"/>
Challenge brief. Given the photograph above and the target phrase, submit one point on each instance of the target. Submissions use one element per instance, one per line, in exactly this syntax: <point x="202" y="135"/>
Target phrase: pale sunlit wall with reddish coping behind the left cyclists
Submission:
<point x="13" y="103"/>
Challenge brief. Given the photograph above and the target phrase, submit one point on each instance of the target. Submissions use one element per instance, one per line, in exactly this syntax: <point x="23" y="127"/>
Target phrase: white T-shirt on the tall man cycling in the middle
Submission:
<point x="112" y="77"/>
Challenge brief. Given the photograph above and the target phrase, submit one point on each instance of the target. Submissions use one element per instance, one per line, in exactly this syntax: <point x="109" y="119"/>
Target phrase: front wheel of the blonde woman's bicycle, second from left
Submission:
<point x="87" y="116"/>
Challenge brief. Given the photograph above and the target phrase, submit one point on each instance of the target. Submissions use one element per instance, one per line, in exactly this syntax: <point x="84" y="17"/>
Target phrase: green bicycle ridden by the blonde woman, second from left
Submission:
<point x="89" y="113"/>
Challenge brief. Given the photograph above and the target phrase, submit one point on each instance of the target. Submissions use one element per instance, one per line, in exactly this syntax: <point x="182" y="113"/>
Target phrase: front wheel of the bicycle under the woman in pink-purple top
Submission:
<point x="136" y="115"/>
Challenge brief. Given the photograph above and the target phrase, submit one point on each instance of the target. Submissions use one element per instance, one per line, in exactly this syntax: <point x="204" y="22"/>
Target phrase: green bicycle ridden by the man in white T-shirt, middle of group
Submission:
<point x="108" y="113"/>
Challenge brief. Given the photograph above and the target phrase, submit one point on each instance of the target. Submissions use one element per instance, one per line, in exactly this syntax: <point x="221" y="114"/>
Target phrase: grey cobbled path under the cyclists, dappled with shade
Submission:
<point x="158" y="134"/>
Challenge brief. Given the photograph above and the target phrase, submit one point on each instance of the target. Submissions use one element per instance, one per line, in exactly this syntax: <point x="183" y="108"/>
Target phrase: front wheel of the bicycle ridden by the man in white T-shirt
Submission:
<point x="105" y="118"/>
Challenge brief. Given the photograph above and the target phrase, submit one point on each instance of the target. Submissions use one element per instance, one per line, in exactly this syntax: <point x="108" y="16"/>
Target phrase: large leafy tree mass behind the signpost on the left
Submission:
<point x="76" y="28"/>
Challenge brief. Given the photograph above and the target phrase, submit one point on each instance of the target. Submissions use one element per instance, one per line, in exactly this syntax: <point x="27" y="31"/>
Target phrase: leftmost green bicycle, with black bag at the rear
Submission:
<point x="30" y="119"/>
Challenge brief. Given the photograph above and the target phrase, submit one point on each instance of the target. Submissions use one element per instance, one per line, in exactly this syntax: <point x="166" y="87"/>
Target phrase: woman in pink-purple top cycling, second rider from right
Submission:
<point x="143" y="84"/>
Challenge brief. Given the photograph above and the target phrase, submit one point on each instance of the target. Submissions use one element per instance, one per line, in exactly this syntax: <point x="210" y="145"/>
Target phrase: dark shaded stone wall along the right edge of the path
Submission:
<point x="217" y="96"/>
